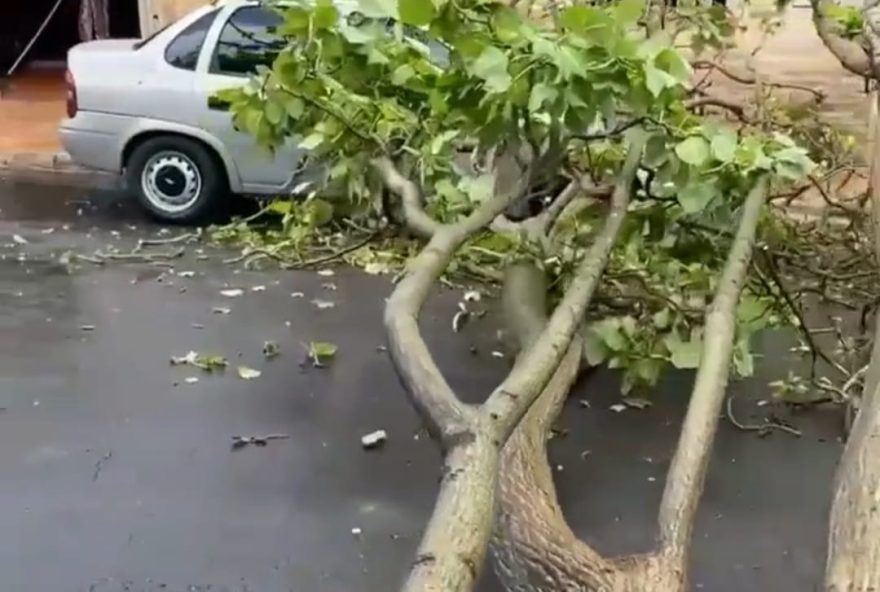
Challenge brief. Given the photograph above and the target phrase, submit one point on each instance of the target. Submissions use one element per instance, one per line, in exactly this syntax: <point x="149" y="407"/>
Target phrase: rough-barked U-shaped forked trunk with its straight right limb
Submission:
<point x="533" y="546"/>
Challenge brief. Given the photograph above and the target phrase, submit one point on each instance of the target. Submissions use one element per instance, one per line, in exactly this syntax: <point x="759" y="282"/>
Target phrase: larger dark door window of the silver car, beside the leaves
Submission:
<point x="247" y="40"/>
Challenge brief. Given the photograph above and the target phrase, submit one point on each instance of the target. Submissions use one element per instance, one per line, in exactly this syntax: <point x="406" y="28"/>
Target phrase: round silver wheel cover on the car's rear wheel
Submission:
<point x="171" y="181"/>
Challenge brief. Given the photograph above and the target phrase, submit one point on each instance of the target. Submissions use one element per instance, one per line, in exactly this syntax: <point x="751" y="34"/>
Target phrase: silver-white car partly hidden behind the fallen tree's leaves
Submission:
<point x="144" y="108"/>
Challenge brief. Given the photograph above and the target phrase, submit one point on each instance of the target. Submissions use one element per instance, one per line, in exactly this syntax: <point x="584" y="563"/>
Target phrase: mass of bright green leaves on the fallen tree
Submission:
<point x="448" y="89"/>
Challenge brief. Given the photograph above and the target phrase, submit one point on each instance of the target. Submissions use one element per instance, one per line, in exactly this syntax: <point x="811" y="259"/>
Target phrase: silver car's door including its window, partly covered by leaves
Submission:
<point x="242" y="39"/>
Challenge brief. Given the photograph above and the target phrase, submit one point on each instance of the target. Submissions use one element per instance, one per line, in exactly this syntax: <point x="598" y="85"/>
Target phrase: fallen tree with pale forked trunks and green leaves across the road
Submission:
<point x="567" y="163"/>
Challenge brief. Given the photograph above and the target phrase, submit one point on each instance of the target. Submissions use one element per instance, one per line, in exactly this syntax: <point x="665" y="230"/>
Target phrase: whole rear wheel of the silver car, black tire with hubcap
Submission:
<point x="177" y="180"/>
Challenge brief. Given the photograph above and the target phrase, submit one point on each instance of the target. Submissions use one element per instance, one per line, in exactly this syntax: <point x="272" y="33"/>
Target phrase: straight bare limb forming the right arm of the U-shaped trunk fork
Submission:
<point x="684" y="482"/>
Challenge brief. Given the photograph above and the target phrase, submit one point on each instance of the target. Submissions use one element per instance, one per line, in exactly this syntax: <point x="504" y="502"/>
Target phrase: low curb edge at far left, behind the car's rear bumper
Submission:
<point x="50" y="166"/>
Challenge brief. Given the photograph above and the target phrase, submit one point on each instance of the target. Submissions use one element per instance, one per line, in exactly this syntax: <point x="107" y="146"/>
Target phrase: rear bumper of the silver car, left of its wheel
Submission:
<point x="94" y="140"/>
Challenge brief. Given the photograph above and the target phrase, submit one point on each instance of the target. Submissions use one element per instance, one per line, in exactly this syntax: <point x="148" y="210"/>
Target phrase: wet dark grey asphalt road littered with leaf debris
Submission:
<point x="116" y="474"/>
